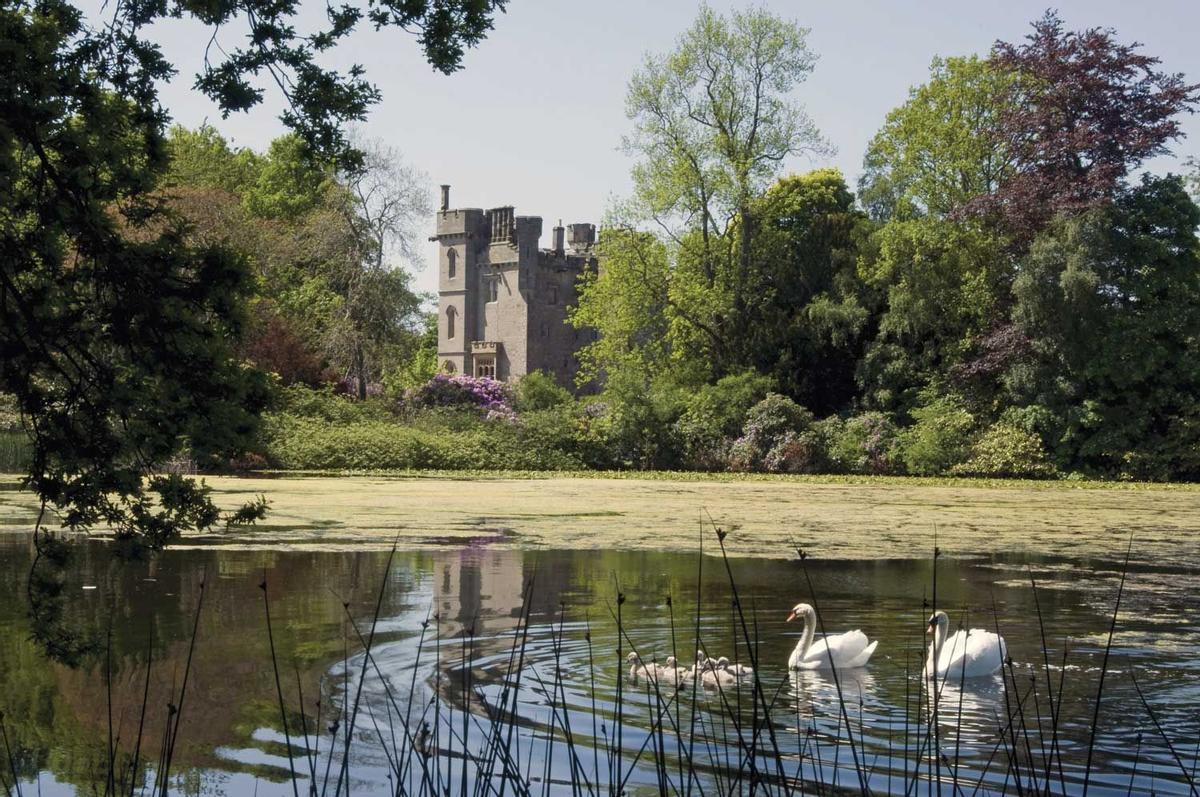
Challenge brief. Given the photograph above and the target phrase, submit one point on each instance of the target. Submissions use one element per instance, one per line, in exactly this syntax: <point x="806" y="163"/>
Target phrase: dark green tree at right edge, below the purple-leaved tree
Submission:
<point x="1112" y="305"/>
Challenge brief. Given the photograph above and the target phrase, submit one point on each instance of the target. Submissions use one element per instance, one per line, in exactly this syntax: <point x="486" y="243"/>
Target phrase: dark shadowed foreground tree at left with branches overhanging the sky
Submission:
<point x="117" y="327"/>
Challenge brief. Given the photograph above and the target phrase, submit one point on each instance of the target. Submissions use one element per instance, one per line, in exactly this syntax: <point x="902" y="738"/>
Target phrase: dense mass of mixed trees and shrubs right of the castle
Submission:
<point x="1005" y="295"/>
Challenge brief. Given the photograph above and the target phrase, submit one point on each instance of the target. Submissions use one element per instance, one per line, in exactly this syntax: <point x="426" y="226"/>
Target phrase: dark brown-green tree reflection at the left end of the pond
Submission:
<point x="57" y="711"/>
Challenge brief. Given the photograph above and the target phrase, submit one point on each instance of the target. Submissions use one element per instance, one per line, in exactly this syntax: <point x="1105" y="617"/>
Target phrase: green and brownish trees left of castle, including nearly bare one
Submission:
<point x="331" y="254"/>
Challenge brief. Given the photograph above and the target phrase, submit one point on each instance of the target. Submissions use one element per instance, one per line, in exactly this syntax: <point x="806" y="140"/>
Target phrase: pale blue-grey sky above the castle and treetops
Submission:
<point x="536" y="117"/>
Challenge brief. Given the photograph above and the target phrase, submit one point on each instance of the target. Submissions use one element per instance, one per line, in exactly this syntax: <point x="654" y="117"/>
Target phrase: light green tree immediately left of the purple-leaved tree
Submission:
<point x="941" y="278"/>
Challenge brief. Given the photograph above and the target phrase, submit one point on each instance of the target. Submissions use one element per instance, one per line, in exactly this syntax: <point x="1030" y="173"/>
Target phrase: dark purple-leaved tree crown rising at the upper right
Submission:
<point x="1085" y="112"/>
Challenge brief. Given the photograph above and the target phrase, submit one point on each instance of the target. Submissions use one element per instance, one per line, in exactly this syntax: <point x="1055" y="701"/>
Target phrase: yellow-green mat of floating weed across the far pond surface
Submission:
<point x="767" y="517"/>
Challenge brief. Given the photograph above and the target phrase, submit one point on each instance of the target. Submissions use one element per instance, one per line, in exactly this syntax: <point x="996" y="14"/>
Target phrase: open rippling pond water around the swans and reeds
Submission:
<point x="513" y="657"/>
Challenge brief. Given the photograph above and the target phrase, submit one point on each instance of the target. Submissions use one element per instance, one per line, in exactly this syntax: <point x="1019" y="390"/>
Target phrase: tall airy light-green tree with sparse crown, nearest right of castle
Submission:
<point x="713" y="123"/>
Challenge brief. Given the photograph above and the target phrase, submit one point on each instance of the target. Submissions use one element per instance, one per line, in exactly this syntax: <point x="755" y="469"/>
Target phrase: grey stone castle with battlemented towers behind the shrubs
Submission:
<point x="502" y="299"/>
